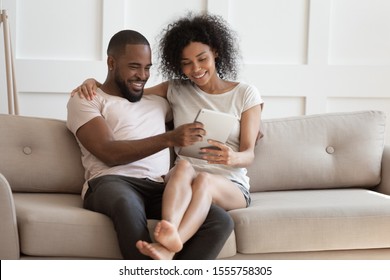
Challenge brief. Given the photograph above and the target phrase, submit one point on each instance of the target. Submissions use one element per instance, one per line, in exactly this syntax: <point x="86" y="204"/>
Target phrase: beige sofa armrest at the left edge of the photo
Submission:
<point x="9" y="238"/>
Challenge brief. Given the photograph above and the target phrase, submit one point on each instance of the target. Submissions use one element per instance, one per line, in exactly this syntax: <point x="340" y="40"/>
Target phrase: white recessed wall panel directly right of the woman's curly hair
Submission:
<point x="274" y="32"/>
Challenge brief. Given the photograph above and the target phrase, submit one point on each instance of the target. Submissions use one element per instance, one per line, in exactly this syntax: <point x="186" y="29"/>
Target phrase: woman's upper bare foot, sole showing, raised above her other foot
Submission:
<point x="166" y="234"/>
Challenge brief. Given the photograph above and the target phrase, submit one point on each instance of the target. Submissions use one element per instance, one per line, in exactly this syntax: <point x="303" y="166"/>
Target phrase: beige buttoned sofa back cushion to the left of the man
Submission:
<point x="39" y="155"/>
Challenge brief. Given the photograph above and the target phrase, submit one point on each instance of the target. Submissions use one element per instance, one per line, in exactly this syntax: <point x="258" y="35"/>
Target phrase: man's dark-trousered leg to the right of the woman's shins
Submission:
<point x="210" y="238"/>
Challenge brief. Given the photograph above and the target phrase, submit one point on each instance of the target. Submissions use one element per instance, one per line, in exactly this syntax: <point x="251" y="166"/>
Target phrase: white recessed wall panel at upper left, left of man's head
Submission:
<point x="52" y="30"/>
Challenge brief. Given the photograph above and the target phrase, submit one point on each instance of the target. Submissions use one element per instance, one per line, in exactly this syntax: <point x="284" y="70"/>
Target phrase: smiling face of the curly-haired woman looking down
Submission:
<point x="198" y="63"/>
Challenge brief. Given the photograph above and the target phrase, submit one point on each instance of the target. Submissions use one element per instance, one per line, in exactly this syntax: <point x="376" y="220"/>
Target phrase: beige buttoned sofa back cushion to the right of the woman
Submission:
<point x="335" y="150"/>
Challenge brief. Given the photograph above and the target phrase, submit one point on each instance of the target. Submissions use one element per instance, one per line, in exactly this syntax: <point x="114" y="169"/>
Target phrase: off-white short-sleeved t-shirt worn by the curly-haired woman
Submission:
<point x="186" y="99"/>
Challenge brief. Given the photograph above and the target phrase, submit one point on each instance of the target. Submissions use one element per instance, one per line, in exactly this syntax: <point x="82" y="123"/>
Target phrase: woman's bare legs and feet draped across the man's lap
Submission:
<point x="185" y="207"/>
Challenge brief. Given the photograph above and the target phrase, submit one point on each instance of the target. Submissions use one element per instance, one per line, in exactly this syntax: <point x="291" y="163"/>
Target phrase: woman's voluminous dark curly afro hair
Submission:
<point x="211" y="30"/>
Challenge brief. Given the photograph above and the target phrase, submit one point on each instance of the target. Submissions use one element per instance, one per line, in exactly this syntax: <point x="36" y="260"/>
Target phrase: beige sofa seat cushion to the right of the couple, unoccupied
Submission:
<point x="313" y="220"/>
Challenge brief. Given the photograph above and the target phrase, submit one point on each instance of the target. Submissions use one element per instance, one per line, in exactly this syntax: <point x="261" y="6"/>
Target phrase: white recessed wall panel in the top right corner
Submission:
<point x="360" y="32"/>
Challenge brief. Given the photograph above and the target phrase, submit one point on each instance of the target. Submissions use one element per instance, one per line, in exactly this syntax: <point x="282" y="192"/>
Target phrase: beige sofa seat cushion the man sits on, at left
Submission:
<point x="58" y="225"/>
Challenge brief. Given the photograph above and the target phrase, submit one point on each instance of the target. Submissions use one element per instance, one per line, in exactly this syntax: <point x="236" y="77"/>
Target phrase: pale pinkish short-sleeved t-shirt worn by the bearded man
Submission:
<point x="128" y="121"/>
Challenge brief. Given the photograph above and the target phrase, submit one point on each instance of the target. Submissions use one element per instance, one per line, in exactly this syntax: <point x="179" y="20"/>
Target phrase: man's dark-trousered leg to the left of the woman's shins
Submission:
<point x="122" y="199"/>
